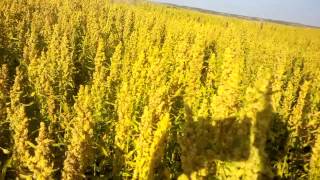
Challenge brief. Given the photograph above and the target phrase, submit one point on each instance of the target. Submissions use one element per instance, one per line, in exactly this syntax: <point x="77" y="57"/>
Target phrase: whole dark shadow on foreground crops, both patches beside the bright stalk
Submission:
<point x="203" y="142"/>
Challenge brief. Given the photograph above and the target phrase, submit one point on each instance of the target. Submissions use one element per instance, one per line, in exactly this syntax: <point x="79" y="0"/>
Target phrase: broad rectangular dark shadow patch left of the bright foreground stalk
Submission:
<point x="203" y="142"/>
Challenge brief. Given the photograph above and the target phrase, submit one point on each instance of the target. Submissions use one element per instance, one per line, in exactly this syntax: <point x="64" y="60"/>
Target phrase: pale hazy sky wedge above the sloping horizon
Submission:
<point x="298" y="11"/>
